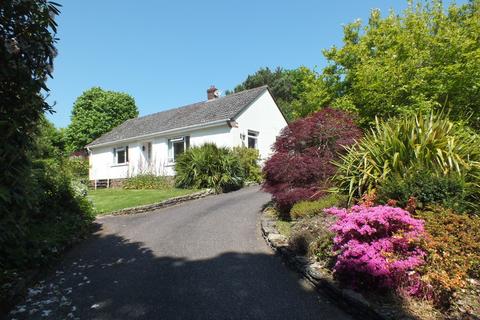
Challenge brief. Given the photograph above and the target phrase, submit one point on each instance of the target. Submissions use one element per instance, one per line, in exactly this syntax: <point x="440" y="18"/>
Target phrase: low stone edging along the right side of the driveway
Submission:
<point x="353" y="302"/>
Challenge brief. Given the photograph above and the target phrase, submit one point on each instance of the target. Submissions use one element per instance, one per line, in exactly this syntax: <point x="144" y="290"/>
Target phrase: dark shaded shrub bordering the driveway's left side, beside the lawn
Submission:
<point x="61" y="214"/>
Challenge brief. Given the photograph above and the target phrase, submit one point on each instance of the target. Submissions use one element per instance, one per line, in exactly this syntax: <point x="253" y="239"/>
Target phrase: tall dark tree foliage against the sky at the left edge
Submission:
<point x="27" y="39"/>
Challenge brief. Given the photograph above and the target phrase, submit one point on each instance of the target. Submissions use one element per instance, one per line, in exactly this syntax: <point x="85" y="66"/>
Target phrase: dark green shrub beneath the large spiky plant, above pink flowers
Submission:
<point x="427" y="189"/>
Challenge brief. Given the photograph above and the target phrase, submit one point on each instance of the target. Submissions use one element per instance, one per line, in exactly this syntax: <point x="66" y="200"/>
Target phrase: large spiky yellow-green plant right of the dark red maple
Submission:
<point x="399" y="147"/>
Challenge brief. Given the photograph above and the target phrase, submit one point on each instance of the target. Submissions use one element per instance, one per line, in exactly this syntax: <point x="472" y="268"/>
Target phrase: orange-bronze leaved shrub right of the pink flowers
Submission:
<point x="453" y="251"/>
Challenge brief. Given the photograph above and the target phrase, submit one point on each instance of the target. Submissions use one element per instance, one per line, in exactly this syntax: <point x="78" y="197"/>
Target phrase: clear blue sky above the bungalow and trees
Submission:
<point x="167" y="53"/>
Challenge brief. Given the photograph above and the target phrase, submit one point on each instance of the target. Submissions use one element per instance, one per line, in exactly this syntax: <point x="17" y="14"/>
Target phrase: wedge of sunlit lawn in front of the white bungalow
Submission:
<point x="108" y="200"/>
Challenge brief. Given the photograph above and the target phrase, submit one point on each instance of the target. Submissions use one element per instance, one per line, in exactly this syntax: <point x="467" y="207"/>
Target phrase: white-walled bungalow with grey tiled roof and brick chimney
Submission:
<point x="151" y="143"/>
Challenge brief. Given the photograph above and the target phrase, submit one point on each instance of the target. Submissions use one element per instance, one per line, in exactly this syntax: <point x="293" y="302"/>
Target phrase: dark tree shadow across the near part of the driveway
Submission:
<point x="109" y="277"/>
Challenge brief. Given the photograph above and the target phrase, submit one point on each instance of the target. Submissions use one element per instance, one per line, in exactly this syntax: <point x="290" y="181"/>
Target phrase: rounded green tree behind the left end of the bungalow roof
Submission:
<point x="96" y="112"/>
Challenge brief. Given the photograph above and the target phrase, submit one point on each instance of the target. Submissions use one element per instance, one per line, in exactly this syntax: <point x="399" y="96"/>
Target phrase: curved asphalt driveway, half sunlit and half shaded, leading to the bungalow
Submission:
<point x="203" y="259"/>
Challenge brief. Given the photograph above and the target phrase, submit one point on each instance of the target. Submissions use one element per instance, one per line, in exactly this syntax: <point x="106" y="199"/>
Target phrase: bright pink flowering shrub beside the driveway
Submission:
<point x="378" y="247"/>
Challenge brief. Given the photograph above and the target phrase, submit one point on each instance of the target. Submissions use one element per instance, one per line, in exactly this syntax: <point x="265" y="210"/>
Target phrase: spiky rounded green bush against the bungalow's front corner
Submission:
<point x="209" y="166"/>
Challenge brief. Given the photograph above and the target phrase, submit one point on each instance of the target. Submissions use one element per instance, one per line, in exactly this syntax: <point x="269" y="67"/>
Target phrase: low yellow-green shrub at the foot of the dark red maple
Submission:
<point x="304" y="209"/>
